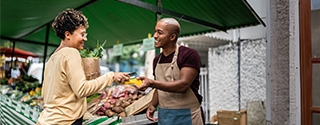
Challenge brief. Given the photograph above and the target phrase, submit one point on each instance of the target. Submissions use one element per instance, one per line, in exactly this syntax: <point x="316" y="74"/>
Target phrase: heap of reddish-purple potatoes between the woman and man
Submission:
<point x="114" y="100"/>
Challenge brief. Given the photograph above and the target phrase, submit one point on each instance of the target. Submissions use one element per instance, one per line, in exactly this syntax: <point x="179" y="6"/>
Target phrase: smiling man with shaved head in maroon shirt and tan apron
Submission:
<point x="176" y="72"/>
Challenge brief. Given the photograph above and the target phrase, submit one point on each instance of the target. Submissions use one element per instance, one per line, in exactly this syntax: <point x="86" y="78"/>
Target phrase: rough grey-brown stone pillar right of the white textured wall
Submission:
<point x="278" y="62"/>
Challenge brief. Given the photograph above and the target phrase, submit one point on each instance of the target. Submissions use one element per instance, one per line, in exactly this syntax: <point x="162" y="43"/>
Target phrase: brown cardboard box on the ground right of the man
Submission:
<point x="226" y="117"/>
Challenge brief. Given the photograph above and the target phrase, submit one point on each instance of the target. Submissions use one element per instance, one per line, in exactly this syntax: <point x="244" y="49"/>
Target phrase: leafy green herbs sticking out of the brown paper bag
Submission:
<point x="96" y="53"/>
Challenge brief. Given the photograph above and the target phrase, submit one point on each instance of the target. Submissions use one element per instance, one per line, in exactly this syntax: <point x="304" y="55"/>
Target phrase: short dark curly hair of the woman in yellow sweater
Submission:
<point x="68" y="20"/>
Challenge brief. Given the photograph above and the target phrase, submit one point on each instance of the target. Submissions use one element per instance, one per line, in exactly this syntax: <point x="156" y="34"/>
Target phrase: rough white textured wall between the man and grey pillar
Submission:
<point x="223" y="75"/>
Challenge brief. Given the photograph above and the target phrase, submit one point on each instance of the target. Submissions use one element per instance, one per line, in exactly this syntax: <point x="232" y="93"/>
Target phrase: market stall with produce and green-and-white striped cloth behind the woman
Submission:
<point x="23" y="106"/>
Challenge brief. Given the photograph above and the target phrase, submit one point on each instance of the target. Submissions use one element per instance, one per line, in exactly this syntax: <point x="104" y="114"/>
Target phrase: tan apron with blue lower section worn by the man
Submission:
<point x="176" y="108"/>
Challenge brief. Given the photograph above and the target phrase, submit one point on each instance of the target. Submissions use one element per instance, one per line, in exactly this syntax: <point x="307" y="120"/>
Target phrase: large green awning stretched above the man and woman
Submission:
<point x="126" y="21"/>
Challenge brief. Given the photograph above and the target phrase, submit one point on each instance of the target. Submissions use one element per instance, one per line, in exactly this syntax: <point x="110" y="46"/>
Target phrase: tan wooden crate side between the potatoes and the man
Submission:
<point x="139" y="105"/>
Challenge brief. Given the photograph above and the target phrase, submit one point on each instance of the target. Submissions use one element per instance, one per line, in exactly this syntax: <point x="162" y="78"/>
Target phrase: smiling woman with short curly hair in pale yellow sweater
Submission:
<point x="65" y="87"/>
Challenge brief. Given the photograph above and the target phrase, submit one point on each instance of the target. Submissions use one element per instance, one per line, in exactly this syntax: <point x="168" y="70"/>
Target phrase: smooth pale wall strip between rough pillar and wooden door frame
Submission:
<point x="294" y="81"/>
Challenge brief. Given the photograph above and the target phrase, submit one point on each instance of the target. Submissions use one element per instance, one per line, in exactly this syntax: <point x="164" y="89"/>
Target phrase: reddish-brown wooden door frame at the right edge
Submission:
<point x="310" y="61"/>
